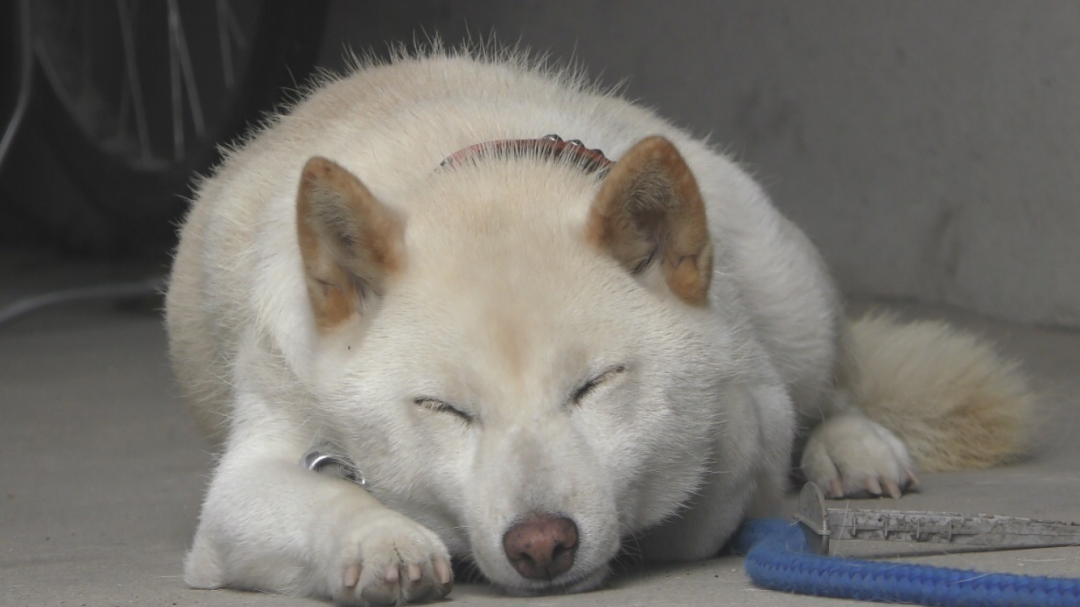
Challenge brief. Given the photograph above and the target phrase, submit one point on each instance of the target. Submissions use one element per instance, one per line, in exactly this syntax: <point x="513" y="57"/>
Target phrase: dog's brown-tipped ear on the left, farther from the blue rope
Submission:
<point x="350" y="242"/>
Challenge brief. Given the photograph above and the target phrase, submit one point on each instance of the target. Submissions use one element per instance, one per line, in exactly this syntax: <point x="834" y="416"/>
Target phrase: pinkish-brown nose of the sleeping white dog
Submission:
<point x="542" y="547"/>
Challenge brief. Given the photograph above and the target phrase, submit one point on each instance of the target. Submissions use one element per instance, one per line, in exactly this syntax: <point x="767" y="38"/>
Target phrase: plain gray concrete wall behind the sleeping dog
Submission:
<point x="931" y="150"/>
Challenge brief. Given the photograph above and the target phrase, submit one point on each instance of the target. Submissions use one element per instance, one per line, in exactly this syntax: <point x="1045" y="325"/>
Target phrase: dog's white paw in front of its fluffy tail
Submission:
<point x="852" y="456"/>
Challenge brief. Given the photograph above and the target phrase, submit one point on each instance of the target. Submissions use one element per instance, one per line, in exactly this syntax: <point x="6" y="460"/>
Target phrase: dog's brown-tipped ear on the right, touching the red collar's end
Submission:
<point x="650" y="213"/>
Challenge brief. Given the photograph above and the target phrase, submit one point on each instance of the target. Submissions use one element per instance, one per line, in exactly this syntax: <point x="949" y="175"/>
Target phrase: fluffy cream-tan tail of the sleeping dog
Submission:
<point x="948" y="395"/>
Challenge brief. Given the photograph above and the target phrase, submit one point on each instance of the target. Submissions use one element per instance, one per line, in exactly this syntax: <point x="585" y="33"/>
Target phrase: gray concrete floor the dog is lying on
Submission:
<point x="102" y="471"/>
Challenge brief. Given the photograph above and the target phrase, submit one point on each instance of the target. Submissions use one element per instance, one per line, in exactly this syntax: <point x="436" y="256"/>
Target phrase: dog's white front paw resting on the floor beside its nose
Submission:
<point x="387" y="559"/>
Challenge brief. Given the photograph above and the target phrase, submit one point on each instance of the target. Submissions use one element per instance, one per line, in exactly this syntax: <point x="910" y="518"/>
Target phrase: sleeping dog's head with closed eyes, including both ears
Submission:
<point x="529" y="367"/>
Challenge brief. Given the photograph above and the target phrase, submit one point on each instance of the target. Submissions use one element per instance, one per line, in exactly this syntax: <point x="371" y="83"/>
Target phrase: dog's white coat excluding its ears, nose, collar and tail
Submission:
<point x="504" y="312"/>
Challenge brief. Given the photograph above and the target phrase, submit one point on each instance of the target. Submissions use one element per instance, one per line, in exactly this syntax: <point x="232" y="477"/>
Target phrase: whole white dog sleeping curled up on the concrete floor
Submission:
<point x="533" y="350"/>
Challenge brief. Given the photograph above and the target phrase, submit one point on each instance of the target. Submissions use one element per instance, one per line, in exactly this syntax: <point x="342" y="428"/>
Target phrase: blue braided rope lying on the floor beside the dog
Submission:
<point x="779" y="558"/>
